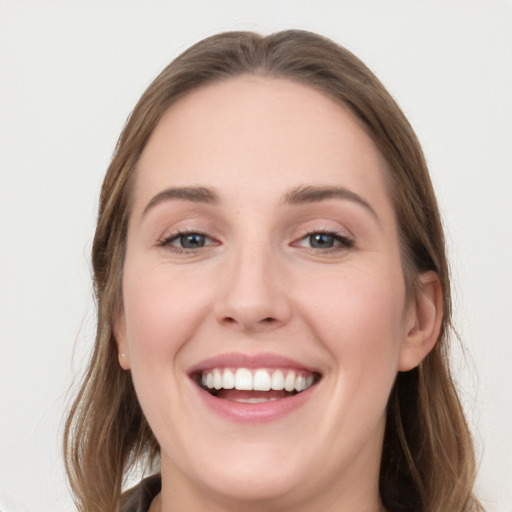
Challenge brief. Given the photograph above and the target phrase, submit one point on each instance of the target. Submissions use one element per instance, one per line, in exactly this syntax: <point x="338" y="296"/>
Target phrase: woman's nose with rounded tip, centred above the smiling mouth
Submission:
<point x="254" y="296"/>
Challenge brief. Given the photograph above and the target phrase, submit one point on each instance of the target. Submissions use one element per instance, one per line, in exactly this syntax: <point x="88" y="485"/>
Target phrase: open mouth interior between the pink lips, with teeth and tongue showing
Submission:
<point x="255" y="385"/>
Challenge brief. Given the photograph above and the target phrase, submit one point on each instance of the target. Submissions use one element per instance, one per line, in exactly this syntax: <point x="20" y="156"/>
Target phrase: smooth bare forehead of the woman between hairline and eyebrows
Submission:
<point x="266" y="132"/>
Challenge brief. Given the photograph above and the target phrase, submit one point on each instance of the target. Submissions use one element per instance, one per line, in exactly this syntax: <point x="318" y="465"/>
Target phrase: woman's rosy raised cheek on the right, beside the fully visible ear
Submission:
<point x="358" y="316"/>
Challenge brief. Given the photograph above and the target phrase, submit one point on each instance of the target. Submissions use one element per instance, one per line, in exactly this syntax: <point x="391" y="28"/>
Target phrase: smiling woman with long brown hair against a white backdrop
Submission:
<point x="273" y="297"/>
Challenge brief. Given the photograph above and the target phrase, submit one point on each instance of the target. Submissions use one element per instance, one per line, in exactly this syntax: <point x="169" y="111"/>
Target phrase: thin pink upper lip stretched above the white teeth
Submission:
<point x="251" y="361"/>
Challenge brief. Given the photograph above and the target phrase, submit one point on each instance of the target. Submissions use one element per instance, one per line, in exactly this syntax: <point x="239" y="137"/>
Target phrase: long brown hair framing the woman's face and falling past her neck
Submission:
<point x="428" y="458"/>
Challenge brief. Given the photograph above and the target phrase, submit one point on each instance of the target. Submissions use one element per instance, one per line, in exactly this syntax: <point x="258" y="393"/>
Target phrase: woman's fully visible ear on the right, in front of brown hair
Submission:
<point x="423" y="322"/>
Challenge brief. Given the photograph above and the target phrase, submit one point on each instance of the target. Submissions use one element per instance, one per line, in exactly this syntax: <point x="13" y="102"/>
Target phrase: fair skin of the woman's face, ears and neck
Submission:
<point x="258" y="285"/>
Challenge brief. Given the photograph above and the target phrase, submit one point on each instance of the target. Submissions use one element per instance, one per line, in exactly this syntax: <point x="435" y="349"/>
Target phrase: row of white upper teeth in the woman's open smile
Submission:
<point x="259" y="380"/>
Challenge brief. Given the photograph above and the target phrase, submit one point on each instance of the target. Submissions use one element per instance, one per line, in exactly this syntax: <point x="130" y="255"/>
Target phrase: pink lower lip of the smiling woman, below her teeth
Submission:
<point x="255" y="413"/>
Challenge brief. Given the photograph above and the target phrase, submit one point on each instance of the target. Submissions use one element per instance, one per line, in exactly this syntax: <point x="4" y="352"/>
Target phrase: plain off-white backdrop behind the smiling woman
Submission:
<point x="71" y="71"/>
